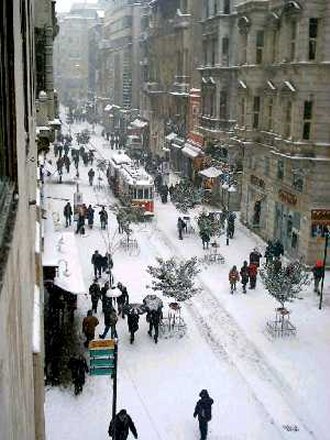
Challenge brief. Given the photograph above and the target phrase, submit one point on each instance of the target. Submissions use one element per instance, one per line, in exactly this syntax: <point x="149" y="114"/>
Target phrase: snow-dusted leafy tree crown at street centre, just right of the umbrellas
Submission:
<point x="175" y="278"/>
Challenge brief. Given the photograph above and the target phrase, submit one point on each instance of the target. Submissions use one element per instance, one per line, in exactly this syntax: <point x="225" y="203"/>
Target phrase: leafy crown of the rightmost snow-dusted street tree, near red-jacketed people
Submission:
<point x="284" y="283"/>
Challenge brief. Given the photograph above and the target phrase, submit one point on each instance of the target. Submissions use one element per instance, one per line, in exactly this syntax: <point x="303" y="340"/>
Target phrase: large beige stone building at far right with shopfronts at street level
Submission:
<point x="282" y="110"/>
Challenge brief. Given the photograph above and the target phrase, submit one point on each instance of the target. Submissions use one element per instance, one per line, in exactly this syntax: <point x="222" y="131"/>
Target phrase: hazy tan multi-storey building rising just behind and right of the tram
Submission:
<point x="172" y="47"/>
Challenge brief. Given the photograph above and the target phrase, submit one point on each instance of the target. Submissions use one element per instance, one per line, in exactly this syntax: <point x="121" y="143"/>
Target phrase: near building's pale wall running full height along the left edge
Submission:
<point x="21" y="351"/>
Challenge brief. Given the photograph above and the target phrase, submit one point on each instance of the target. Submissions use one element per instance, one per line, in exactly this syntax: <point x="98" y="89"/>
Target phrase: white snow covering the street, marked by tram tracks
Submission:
<point x="258" y="384"/>
